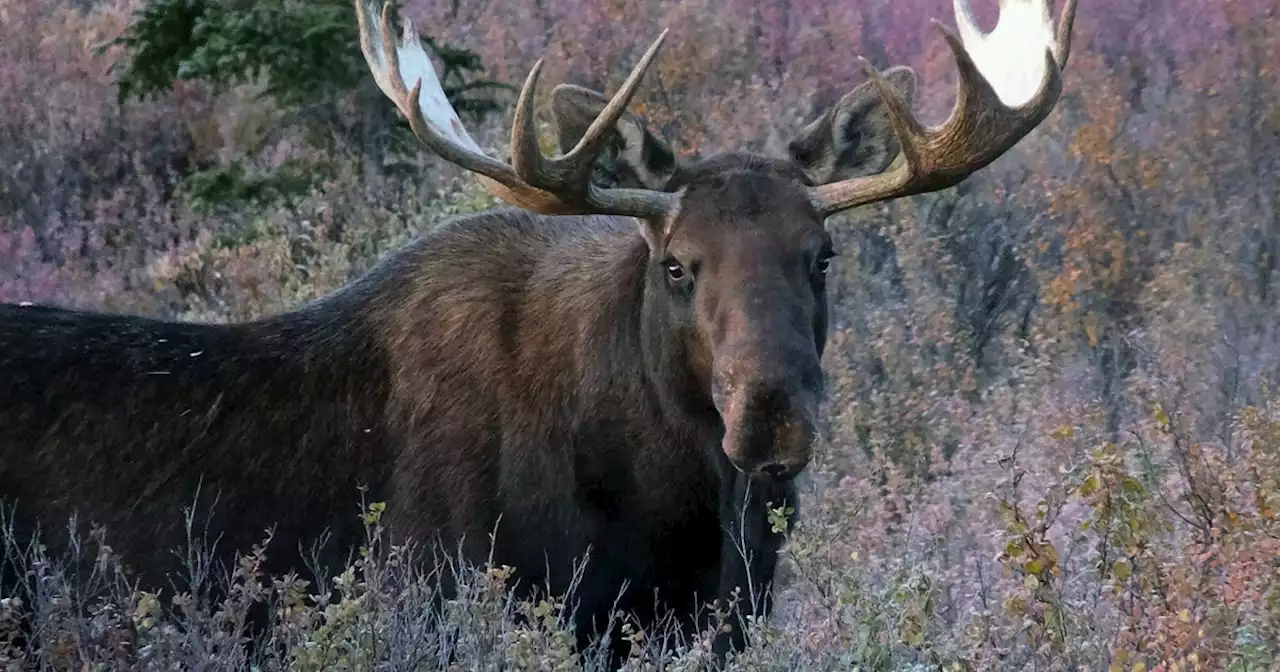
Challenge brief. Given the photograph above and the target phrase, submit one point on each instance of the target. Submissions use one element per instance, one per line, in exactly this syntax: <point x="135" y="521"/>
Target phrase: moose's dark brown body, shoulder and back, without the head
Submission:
<point x="523" y="401"/>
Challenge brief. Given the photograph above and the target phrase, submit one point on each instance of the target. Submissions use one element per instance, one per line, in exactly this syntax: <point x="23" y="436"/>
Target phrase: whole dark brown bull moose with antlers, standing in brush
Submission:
<point x="625" y="365"/>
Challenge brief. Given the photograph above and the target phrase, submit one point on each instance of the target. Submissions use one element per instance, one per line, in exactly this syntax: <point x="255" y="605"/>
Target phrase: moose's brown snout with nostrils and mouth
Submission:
<point x="769" y="427"/>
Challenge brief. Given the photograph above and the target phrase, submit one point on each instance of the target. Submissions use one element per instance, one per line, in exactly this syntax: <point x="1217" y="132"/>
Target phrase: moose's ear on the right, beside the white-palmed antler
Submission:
<point x="854" y="138"/>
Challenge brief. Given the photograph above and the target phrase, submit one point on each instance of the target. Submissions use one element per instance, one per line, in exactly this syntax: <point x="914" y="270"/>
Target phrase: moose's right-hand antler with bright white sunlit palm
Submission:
<point x="1009" y="83"/>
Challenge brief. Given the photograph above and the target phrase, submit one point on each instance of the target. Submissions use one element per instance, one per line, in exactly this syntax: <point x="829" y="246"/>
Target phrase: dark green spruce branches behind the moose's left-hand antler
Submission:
<point x="307" y="57"/>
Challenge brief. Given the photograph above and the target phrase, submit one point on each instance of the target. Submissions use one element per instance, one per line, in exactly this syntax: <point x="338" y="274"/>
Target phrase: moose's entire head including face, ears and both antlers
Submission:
<point x="734" y="300"/>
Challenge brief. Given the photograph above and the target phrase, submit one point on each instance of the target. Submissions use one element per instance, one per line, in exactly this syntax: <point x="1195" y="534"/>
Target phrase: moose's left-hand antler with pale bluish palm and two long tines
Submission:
<point x="533" y="181"/>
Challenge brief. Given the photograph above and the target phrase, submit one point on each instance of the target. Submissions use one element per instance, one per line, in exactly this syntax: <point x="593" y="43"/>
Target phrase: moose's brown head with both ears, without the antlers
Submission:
<point x="738" y="269"/>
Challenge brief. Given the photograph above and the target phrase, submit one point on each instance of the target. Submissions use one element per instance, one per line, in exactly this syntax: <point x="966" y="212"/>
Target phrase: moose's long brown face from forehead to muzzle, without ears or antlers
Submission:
<point x="744" y="269"/>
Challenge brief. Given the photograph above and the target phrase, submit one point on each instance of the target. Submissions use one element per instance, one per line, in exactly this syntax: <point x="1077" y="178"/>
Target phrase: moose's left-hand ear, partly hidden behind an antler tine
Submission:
<point x="633" y="158"/>
